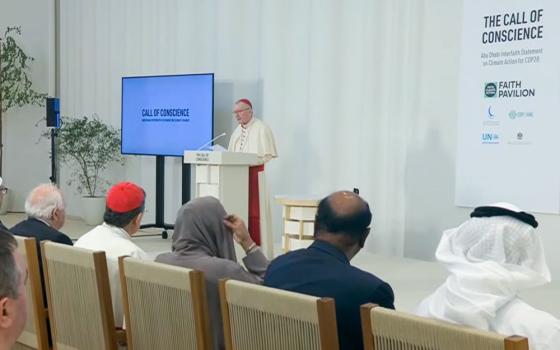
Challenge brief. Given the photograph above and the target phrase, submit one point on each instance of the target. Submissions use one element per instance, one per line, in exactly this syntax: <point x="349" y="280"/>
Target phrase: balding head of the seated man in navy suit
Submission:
<point x="343" y="213"/>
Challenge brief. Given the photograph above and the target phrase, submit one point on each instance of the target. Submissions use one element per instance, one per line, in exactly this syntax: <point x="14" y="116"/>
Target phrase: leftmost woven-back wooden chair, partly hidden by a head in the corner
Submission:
<point x="35" y="334"/>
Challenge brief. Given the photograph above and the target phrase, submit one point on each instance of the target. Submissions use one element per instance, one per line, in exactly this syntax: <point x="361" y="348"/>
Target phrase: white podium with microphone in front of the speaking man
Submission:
<point x="224" y="175"/>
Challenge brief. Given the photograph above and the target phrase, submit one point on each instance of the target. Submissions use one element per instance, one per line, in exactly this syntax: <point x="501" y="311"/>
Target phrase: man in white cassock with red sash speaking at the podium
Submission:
<point x="252" y="136"/>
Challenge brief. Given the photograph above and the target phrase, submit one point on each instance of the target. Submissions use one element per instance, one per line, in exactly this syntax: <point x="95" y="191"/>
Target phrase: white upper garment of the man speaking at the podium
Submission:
<point x="254" y="137"/>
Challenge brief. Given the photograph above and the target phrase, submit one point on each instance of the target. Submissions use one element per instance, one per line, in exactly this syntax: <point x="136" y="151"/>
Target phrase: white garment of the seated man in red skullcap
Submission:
<point x="115" y="242"/>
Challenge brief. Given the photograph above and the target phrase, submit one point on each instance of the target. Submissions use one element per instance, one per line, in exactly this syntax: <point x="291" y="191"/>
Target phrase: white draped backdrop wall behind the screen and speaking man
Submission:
<point x="359" y="93"/>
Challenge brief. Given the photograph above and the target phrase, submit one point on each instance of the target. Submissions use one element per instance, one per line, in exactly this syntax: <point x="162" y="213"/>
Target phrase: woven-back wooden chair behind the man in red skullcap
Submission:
<point x="79" y="298"/>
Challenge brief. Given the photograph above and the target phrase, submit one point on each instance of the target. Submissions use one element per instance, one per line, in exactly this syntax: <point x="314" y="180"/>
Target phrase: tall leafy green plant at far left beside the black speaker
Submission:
<point x="15" y="84"/>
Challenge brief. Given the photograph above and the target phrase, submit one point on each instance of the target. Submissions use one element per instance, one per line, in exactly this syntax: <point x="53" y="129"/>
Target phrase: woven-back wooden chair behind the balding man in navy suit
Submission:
<point x="257" y="317"/>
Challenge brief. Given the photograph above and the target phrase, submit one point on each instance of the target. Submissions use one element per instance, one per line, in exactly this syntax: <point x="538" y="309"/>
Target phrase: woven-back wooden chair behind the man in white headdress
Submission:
<point x="385" y="329"/>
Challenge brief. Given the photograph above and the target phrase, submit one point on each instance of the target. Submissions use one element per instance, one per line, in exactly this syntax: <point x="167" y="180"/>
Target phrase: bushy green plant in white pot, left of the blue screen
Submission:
<point x="89" y="146"/>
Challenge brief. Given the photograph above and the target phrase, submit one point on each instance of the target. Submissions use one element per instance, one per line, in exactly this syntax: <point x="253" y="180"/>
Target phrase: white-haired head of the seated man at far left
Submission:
<point x="46" y="202"/>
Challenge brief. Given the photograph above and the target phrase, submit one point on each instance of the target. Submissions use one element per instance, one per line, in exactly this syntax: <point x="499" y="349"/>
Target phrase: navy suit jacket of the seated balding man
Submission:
<point x="323" y="270"/>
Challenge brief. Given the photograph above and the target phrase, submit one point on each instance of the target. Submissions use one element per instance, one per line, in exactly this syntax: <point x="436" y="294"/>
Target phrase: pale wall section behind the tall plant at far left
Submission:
<point x="26" y="156"/>
